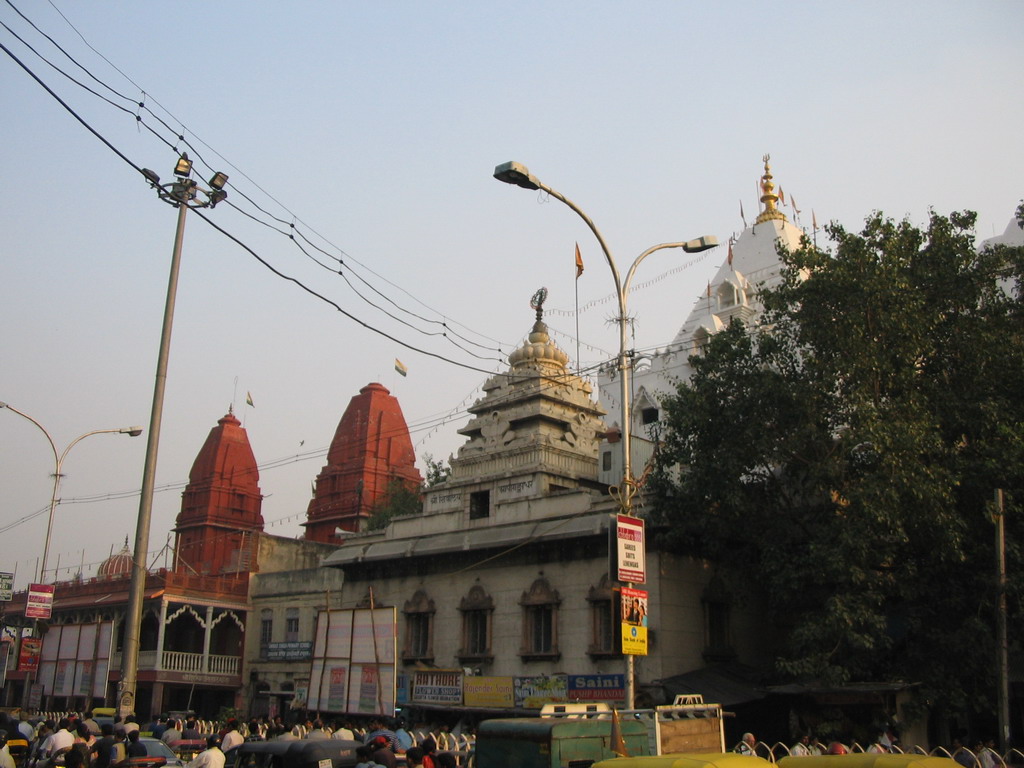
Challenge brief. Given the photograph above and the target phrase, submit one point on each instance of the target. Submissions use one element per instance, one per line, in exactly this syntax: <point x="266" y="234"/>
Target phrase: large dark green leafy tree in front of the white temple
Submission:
<point x="843" y="457"/>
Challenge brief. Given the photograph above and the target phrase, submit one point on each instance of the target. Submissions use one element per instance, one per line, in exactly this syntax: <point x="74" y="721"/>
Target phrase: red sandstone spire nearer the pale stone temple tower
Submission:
<point x="371" y="447"/>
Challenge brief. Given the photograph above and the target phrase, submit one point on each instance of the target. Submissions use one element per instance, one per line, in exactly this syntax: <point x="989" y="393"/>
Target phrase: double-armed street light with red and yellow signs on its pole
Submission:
<point x="520" y="176"/>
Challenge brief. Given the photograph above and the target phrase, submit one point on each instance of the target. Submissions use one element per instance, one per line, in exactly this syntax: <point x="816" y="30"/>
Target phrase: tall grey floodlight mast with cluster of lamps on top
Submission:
<point x="183" y="194"/>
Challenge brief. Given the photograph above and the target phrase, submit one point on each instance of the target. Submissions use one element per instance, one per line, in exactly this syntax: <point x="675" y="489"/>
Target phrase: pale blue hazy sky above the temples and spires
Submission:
<point x="363" y="224"/>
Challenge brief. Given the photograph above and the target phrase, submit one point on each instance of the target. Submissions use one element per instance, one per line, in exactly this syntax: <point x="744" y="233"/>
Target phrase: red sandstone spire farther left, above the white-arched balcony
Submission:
<point x="221" y="507"/>
